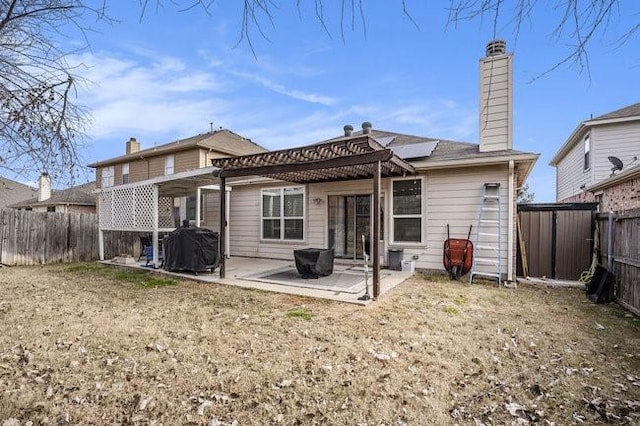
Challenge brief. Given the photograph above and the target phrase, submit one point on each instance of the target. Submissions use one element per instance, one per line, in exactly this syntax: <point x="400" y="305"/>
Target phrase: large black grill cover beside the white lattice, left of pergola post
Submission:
<point x="191" y="249"/>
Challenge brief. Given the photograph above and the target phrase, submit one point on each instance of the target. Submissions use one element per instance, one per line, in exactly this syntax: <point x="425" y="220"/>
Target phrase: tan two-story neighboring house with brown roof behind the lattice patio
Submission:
<point x="170" y="159"/>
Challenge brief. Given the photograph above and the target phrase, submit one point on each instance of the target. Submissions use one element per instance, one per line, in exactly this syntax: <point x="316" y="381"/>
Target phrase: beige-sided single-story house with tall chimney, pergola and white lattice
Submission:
<point x="372" y="185"/>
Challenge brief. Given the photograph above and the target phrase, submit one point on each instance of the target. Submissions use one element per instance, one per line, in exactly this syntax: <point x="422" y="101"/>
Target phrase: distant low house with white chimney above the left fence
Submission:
<point x="77" y="199"/>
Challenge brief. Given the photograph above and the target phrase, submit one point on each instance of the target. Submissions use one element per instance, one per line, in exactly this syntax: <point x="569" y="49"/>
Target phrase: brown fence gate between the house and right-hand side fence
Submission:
<point x="558" y="239"/>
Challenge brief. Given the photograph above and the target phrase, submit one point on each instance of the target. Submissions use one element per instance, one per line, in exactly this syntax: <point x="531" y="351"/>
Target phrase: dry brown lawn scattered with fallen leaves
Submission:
<point x="87" y="344"/>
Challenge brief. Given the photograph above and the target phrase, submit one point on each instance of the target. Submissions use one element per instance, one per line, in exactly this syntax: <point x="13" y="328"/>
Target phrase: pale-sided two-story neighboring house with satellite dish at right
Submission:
<point x="584" y="159"/>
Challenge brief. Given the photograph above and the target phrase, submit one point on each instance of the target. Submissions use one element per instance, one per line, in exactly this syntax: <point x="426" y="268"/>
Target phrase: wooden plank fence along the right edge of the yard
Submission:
<point x="621" y="253"/>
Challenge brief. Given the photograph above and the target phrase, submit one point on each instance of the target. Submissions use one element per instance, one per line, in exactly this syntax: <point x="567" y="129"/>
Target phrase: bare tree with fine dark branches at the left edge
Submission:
<point x="40" y="123"/>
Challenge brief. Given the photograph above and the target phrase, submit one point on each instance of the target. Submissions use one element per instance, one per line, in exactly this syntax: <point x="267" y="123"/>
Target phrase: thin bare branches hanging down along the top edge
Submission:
<point x="577" y="23"/>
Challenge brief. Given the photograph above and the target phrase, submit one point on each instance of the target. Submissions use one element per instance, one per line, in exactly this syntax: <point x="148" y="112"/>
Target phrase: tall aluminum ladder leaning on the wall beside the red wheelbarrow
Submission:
<point x="487" y="254"/>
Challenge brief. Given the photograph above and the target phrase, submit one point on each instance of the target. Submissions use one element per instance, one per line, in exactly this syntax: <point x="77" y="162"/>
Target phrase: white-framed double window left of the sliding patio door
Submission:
<point x="283" y="213"/>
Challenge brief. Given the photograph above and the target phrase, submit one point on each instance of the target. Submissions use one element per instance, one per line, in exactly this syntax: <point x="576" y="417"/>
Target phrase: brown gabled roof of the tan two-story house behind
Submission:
<point x="223" y="141"/>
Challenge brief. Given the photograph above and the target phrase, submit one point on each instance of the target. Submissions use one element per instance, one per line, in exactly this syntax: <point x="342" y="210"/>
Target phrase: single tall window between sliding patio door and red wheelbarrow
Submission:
<point x="407" y="210"/>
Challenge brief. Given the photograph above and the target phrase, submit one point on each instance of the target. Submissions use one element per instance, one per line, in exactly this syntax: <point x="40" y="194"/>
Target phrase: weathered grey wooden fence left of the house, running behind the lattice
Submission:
<point x="34" y="238"/>
